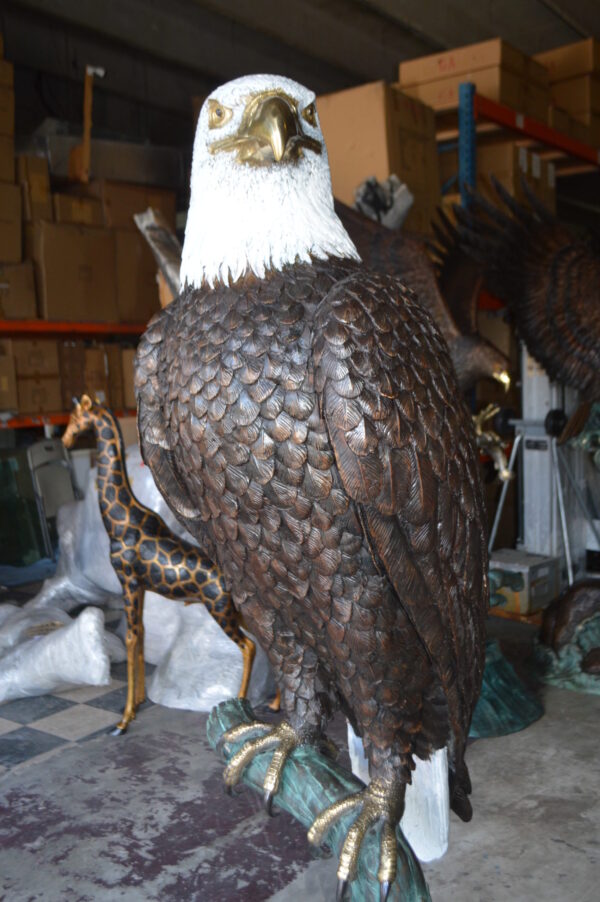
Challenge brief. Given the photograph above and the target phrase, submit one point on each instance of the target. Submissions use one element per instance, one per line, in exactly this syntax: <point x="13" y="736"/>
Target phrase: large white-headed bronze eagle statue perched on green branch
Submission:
<point x="301" y="416"/>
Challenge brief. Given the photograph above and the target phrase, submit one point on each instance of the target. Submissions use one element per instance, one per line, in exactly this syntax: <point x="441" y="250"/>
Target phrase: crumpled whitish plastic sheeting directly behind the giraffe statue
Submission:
<point x="198" y="665"/>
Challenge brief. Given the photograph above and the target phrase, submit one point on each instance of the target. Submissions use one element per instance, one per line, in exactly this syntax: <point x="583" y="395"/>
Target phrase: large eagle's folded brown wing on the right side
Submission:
<point x="402" y="443"/>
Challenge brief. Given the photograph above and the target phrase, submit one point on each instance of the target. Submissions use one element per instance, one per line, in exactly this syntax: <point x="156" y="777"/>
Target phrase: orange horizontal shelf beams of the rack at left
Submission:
<point x="37" y="328"/>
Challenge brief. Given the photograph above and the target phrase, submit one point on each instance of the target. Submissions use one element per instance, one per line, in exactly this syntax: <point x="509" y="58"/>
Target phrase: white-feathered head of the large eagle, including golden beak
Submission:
<point x="260" y="190"/>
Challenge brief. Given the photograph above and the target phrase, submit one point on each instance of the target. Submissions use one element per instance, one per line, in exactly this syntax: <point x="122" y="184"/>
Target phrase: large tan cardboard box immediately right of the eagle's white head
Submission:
<point x="376" y="130"/>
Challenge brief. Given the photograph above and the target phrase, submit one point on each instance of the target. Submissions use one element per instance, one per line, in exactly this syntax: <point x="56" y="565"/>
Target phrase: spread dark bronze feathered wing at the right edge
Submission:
<point x="548" y="275"/>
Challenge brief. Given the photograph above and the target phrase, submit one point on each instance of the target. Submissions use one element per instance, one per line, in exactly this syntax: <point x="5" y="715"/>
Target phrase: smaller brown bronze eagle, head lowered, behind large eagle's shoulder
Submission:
<point x="449" y="291"/>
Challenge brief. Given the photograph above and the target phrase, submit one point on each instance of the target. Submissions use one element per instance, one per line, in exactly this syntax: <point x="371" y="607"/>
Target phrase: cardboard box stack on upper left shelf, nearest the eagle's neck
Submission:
<point x="91" y="263"/>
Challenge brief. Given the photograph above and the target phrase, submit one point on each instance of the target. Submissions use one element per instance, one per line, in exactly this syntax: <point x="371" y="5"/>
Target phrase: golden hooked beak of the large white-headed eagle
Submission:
<point x="270" y="130"/>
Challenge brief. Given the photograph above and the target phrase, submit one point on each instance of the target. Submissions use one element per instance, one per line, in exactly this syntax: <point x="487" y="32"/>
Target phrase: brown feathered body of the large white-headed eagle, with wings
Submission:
<point x="307" y="428"/>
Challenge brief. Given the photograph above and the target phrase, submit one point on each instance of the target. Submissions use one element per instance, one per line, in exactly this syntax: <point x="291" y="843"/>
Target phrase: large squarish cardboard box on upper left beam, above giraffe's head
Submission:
<point x="75" y="272"/>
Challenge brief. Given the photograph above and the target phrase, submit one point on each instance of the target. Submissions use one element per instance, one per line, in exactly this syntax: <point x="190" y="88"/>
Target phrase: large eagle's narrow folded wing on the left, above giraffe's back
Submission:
<point x="153" y="432"/>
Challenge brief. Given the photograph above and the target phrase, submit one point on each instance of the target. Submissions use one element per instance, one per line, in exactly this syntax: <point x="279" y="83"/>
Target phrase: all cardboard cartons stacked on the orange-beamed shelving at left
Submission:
<point x="69" y="252"/>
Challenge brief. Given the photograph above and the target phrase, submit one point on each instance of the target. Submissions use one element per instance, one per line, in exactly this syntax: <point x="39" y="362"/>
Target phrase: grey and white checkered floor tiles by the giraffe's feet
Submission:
<point x="32" y="728"/>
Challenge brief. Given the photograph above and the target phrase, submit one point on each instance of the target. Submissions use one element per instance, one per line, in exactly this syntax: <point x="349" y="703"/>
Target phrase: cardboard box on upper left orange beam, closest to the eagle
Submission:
<point x="137" y="297"/>
